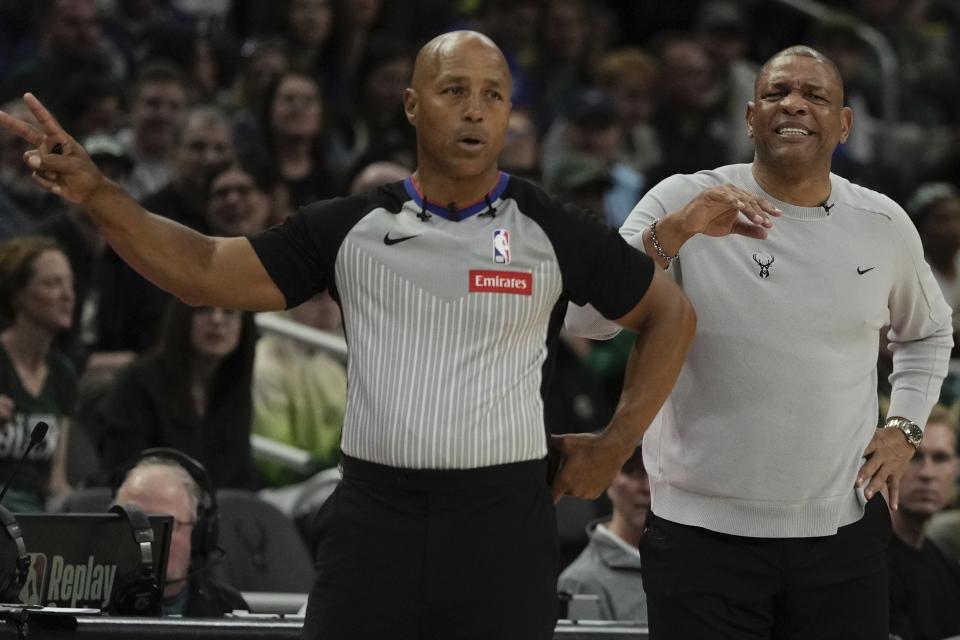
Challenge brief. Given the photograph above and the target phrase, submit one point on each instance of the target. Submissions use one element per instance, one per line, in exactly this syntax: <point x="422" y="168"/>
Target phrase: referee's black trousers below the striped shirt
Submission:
<point x="436" y="554"/>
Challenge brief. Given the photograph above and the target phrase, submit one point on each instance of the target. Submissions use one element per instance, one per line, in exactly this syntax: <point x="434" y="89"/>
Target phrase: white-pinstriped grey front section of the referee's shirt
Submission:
<point x="442" y="383"/>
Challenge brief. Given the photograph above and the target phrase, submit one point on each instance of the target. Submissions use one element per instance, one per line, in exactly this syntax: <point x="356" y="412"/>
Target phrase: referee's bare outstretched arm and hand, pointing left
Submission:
<point x="198" y="269"/>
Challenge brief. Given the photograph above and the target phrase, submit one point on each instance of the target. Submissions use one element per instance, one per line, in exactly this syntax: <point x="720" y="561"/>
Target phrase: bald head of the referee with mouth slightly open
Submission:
<point x="460" y="105"/>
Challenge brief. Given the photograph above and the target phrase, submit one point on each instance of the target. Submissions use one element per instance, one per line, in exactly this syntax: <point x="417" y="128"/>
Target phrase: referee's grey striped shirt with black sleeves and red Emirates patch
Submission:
<point x="451" y="316"/>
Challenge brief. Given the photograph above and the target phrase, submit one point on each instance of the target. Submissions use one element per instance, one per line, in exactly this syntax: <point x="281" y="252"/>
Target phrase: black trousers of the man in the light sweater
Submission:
<point x="703" y="584"/>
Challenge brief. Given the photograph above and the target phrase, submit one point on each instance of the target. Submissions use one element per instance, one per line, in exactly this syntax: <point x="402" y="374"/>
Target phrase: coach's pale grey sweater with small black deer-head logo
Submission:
<point x="764" y="432"/>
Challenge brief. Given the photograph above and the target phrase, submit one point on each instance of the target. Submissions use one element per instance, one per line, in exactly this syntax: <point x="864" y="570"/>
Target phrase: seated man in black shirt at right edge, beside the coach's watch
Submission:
<point x="924" y="580"/>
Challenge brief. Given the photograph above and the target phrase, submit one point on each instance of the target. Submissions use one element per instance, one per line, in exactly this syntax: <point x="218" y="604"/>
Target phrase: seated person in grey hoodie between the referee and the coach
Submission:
<point x="609" y="566"/>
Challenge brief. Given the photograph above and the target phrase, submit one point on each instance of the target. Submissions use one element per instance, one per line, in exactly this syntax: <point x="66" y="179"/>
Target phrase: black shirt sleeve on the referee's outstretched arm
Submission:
<point x="300" y="253"/>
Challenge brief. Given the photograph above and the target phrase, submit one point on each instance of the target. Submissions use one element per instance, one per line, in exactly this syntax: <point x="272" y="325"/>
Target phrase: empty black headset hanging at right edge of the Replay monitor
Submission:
<point x="137" y="593"/>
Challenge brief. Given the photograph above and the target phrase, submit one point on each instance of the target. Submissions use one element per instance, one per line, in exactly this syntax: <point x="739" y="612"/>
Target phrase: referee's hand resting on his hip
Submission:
<point x="588" y="464"/>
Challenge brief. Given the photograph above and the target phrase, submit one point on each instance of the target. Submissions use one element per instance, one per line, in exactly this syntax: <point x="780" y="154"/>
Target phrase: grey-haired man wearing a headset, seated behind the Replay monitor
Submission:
<point x="161" y="484"/>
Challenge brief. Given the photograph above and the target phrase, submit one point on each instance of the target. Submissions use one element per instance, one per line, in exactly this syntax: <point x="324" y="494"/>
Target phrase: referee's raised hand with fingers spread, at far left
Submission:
<point x="59" y="163"/>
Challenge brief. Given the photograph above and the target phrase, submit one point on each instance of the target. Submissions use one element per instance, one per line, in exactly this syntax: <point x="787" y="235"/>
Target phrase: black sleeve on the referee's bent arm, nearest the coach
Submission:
<point x="597" y="265"/>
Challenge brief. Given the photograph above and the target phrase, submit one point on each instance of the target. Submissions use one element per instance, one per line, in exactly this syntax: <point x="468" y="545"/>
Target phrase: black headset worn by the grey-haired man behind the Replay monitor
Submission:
<point x="204" y="540"/>
